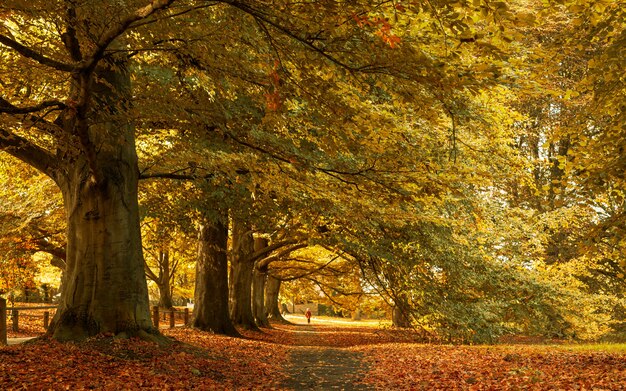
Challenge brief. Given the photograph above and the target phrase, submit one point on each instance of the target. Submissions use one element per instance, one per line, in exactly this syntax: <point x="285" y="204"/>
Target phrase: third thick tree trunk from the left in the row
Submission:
<point x="241" y="286"/>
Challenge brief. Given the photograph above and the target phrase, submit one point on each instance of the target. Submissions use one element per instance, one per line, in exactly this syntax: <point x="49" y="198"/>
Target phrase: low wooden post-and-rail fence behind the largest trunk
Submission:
<point x="157" y="316"/>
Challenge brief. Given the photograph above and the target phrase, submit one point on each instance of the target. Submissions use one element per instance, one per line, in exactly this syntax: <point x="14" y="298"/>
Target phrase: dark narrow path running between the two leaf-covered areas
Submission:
<point x="314" y="367"/>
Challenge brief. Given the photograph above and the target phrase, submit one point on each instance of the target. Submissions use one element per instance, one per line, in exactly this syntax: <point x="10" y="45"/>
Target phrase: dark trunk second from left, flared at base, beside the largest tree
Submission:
<point x="210" y="311"/>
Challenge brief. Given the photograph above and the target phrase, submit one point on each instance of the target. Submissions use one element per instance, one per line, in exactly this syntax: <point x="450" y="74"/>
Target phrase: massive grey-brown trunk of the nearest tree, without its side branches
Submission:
<point x="105" y="288"/>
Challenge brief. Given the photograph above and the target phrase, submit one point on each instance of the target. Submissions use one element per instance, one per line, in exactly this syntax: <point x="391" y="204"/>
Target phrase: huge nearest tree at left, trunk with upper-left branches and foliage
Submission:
<point x="88" y="149"/>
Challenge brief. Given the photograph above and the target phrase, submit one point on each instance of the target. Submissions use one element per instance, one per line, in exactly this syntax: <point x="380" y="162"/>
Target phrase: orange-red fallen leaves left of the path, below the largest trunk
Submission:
<point x="198" y="361"/>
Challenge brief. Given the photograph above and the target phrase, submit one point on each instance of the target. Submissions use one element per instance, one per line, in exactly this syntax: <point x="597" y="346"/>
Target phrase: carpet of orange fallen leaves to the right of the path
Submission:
<point x="412" y="366"/>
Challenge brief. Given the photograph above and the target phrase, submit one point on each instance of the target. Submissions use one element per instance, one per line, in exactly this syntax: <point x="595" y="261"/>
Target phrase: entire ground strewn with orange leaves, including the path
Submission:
<point x="324" y="355"/>
